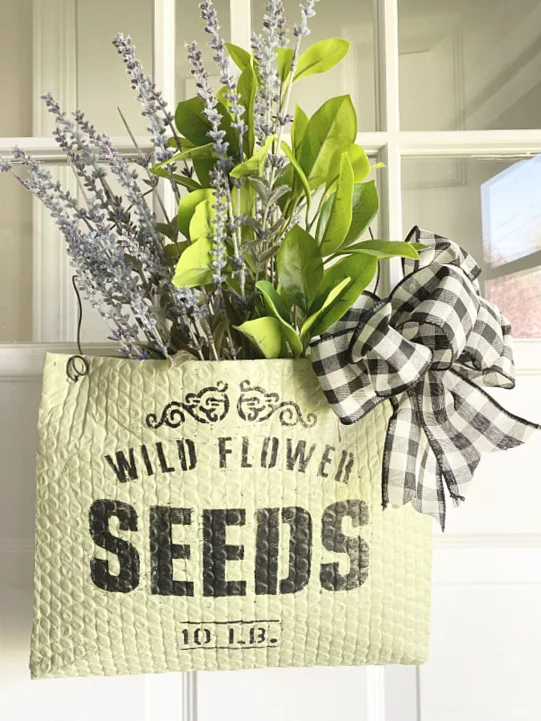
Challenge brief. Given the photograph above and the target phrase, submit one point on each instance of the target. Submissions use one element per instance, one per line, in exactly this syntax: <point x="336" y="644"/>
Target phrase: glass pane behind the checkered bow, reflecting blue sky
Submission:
<point x="493" y="209"/>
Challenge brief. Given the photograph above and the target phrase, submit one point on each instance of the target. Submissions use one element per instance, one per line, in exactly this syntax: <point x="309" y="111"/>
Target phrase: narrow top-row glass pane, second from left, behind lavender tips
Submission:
<point x="191" y="27"/>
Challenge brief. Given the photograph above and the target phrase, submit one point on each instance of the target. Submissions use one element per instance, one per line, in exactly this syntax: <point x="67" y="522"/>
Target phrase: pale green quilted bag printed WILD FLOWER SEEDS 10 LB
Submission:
<point x="217" y="516"/>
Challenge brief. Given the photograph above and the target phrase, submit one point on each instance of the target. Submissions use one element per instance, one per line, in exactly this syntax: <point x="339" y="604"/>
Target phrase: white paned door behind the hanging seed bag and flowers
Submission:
<point x="449" y="98"/>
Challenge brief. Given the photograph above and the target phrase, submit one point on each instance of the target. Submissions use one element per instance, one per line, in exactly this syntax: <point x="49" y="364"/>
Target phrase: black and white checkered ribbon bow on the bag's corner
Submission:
<point x="427" y="348"/>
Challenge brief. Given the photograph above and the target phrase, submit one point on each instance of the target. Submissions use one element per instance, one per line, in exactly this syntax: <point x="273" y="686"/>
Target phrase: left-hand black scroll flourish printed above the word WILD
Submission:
<point x="209" y="405"/>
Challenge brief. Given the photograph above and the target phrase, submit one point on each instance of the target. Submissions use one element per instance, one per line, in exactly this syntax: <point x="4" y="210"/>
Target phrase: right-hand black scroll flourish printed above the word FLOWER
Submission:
<point x="256" y="405"/>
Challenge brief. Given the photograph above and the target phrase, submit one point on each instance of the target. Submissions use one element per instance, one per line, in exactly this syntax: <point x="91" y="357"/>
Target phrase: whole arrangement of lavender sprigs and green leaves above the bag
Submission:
<point x="264" y="253"/>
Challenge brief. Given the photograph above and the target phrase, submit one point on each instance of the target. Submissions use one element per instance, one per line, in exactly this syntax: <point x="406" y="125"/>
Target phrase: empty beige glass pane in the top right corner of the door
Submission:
<point x="469" y="65"/>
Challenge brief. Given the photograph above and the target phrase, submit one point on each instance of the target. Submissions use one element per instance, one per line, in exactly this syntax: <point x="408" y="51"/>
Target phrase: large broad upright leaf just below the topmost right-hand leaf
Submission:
<point x="332" y="129"/>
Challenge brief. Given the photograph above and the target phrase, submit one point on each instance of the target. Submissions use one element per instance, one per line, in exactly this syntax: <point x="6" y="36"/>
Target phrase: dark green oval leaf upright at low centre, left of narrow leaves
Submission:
<point x="299" y="265"/>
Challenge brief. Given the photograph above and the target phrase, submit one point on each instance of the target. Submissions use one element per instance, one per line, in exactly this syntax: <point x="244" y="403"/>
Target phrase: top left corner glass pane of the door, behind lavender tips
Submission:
<point x="53" y="47"/>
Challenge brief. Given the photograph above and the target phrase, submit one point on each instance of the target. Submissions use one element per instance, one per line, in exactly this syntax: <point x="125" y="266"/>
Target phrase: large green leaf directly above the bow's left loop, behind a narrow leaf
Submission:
<point x="360" y="269"/>
